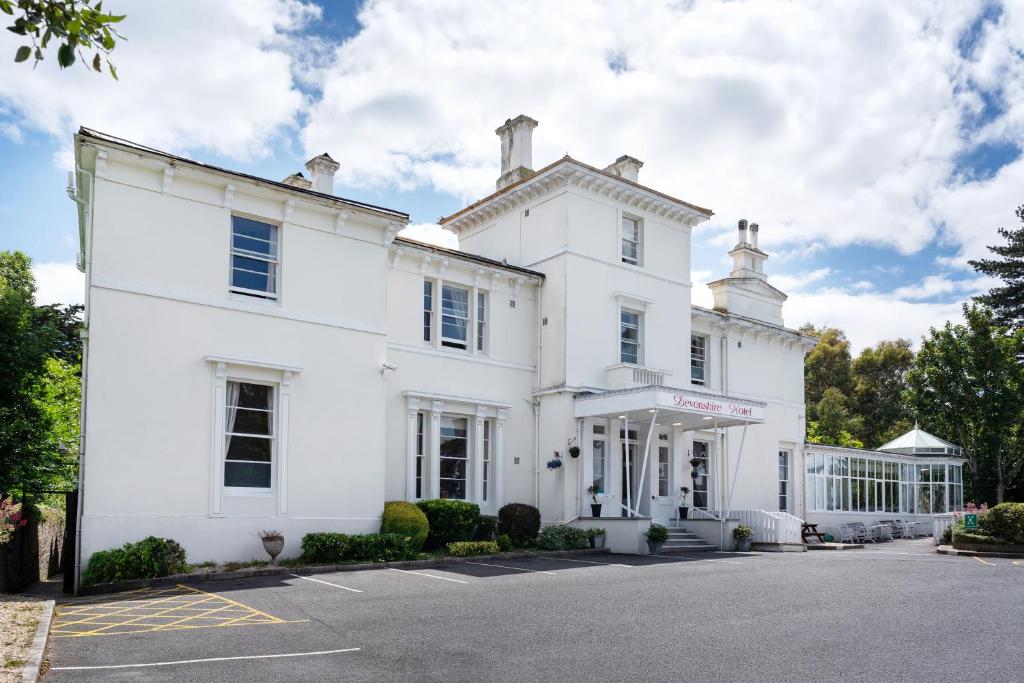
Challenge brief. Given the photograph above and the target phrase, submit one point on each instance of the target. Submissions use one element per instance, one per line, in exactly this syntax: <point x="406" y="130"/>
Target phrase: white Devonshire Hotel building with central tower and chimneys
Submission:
<point x="265" y="355"/>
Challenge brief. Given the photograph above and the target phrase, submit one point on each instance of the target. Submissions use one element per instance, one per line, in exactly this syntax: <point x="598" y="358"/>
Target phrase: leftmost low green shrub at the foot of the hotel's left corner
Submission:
<point x="148" y="559"/>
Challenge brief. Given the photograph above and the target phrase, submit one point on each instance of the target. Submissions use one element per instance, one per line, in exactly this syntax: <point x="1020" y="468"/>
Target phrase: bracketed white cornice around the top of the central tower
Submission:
<point x="570" y="173"/>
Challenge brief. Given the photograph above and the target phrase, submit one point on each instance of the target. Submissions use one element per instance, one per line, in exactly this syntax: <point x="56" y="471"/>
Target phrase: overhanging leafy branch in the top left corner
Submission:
<point x="76" y="25"/>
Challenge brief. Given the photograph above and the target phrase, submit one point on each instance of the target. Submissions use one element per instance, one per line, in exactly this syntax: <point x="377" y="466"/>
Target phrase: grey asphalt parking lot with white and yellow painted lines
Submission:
<point x="893" y="613"/>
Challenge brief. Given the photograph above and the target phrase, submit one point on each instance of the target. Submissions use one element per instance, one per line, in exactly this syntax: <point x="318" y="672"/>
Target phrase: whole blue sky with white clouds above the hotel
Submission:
<point x="878" y="162"/>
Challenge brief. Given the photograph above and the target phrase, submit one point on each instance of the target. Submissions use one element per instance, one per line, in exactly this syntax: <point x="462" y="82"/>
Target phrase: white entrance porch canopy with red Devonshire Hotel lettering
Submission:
<point x="689" y="410"/>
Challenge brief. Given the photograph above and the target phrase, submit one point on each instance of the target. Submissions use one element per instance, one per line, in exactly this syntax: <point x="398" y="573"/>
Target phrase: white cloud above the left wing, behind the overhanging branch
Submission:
<point x="217" y="76"/>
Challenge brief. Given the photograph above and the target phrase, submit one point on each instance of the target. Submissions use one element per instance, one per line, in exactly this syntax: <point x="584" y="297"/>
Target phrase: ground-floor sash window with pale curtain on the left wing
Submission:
<point x="249" y="436"/>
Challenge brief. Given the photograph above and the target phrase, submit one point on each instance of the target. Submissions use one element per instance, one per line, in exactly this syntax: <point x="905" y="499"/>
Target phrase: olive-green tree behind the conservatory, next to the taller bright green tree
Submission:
<point x="879" y="387"/>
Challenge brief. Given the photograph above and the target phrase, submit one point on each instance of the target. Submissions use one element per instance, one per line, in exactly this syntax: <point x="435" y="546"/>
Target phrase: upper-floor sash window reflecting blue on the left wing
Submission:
<point x="254" y="259"/>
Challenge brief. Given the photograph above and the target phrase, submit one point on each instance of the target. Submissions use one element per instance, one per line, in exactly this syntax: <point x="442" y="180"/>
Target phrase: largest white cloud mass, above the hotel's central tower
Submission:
<point x="740" y="107"/>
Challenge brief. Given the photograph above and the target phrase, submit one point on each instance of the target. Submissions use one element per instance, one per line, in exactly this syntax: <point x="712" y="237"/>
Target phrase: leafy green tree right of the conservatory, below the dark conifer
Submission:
<point x="966" y="386"/>
